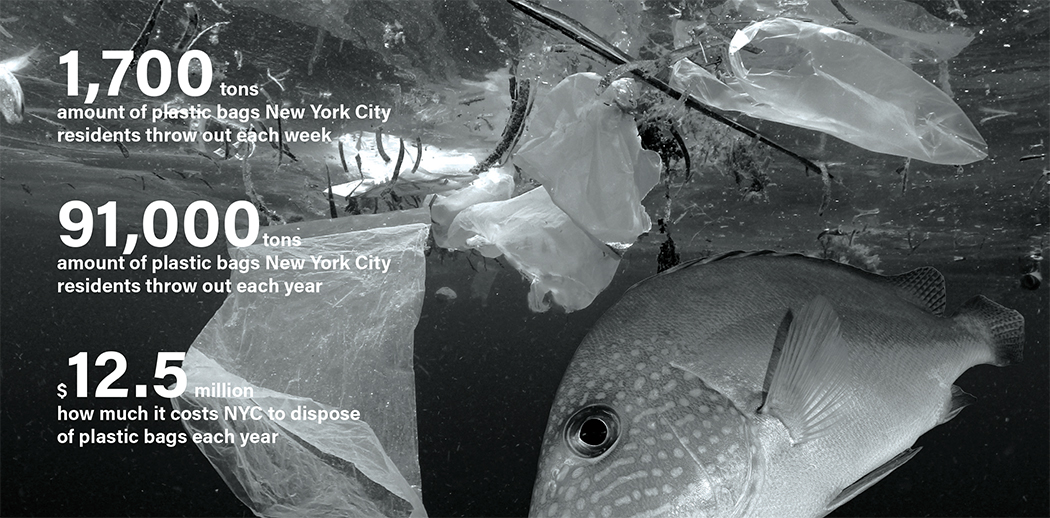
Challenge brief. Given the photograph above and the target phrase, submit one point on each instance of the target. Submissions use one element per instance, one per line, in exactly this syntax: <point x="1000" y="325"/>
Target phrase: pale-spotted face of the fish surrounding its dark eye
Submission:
<point x="679" y="438"/>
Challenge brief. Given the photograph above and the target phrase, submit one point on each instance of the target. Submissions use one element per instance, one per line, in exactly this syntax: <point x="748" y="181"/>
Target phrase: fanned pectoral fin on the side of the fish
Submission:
<point x="809" y="380"/>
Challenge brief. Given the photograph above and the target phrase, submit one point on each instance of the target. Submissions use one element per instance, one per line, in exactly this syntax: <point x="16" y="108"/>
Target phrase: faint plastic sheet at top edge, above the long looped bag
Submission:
<point x="900" y="29"/>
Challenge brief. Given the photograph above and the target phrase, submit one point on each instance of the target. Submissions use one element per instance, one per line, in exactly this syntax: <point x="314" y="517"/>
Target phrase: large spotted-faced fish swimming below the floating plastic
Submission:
<point x="760" y="385"/>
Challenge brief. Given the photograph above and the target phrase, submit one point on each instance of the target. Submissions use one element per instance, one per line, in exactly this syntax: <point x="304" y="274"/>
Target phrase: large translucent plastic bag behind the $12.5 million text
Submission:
<point x="317" y="358"/>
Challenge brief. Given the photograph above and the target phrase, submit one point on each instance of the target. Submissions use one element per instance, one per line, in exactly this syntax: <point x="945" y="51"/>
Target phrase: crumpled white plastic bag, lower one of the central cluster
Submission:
<point x="565" y="264"/>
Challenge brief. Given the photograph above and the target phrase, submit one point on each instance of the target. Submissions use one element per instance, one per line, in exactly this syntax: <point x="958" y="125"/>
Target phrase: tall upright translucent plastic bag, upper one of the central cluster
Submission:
<point x="587" y="154"/>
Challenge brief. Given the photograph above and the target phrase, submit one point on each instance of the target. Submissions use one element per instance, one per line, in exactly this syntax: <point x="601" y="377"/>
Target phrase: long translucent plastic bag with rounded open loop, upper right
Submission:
<point x="824" y="79"/>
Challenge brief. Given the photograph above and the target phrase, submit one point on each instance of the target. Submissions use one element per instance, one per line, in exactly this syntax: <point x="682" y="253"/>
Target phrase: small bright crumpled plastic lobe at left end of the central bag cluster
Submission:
<point x="493" y="185"/>
